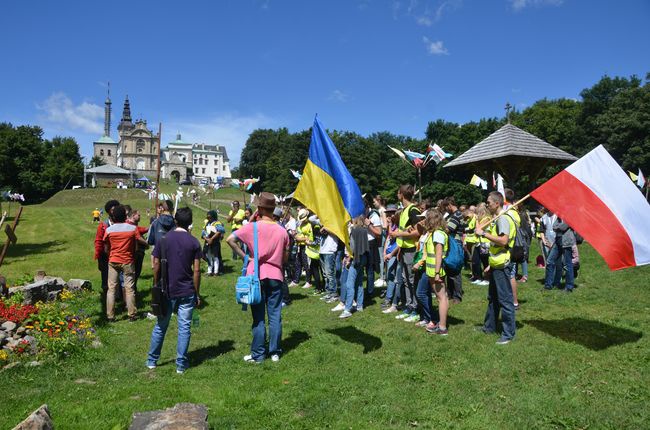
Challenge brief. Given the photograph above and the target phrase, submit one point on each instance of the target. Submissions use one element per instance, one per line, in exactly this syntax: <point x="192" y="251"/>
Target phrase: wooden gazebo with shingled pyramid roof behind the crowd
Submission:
<point x="512" y="151"/>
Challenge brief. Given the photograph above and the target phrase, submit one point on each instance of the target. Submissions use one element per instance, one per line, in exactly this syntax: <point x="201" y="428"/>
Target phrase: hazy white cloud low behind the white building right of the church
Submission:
<point x="229" y="129"/>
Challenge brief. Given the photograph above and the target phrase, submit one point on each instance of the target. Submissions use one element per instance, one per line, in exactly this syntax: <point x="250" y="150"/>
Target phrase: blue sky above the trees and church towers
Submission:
<point x="216" y="70"/>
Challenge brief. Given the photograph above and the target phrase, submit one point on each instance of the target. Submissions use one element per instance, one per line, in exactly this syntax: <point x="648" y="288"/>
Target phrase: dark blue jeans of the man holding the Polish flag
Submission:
<point x="500" y="299"/>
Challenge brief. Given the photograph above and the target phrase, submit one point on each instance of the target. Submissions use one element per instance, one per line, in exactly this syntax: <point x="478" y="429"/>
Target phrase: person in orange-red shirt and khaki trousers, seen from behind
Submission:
<point x="119" y="243"/>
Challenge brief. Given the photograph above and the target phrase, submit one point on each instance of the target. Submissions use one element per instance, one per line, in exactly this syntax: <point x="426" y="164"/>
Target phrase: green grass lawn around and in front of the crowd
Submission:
<point x="579" y="361"/>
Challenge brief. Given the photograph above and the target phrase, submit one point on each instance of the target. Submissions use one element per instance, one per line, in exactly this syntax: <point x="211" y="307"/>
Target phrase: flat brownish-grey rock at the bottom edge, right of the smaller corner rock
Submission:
<point x="186" y="416"/>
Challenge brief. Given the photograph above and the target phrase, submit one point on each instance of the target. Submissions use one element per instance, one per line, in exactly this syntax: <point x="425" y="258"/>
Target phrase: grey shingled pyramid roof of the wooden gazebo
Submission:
<point x="511" y="141"/>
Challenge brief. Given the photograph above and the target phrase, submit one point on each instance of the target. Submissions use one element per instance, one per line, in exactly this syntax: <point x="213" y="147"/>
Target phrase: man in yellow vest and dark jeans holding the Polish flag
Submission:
<point x="501" y="234"/>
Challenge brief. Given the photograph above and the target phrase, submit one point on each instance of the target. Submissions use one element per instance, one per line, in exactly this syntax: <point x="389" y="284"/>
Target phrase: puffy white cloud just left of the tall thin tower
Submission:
<point x="59" y="110"/>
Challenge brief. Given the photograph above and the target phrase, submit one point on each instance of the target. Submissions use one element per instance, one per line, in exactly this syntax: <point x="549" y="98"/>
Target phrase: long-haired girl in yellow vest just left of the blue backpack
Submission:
<point x="436" y="248"/>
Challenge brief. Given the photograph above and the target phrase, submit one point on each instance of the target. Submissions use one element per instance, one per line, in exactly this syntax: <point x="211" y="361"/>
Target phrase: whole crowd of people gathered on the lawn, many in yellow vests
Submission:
<point x="397" y="252"/>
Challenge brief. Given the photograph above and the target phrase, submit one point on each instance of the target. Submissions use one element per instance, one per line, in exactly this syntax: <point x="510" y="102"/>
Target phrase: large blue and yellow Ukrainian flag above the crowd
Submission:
<point x="326" y="187"/>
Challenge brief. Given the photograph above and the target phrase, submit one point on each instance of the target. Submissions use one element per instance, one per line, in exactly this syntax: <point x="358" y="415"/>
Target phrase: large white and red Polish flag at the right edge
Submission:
<point x="597" y="199"/>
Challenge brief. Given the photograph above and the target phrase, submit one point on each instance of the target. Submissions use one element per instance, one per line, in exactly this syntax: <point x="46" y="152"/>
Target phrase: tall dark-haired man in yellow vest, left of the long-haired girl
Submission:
<point x="406" y="235"/>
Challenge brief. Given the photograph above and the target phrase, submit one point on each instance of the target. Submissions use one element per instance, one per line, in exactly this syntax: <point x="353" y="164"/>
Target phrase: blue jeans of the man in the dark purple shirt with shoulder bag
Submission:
<point x="184" y="316"/>
